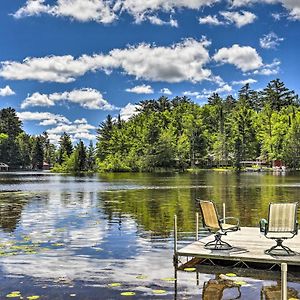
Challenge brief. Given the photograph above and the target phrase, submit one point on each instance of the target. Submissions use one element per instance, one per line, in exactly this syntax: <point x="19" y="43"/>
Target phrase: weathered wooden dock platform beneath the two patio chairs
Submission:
<point x="249" y="246"/>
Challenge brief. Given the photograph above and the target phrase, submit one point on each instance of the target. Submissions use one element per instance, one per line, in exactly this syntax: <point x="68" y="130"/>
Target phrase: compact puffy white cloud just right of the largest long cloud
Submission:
<point x="243" y="57"/>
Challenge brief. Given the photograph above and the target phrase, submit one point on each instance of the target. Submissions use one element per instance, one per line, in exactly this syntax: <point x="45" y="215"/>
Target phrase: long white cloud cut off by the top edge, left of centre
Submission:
<point x="107" y="11"/>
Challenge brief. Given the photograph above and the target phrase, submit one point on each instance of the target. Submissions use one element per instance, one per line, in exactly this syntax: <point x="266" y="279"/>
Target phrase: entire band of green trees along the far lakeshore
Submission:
<point x="172" y="134"/>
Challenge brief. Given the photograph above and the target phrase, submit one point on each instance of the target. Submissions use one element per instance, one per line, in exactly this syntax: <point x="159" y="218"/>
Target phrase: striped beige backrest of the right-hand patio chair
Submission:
<point x="282" y="217"/>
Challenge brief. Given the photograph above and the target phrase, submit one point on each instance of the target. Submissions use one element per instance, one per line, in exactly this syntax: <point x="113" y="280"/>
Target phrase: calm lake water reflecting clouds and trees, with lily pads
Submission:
<point x="65" y="237"/>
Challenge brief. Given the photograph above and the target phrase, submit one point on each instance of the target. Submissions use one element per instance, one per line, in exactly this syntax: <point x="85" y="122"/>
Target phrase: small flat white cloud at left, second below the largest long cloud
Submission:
<point x="45" y="118"/>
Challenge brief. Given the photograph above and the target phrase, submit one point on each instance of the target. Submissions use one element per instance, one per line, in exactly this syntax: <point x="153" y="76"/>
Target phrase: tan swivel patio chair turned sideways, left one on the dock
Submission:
<point x="217" y="226"/>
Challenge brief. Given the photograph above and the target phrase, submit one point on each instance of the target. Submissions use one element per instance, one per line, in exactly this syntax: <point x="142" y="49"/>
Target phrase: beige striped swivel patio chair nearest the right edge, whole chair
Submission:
<point x="281" y="225"/>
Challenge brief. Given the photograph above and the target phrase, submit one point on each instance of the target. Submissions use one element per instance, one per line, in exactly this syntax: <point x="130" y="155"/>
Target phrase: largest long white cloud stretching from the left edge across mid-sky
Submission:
<point x="179" y="62"/>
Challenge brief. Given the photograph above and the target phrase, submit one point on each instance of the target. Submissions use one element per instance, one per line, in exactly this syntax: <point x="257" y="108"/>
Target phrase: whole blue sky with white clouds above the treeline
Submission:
<point x="66" y="64"/>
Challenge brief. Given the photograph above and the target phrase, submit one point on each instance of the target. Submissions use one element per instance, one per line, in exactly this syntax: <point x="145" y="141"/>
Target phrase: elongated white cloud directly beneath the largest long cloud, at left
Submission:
<point x="86" y="98"/>
